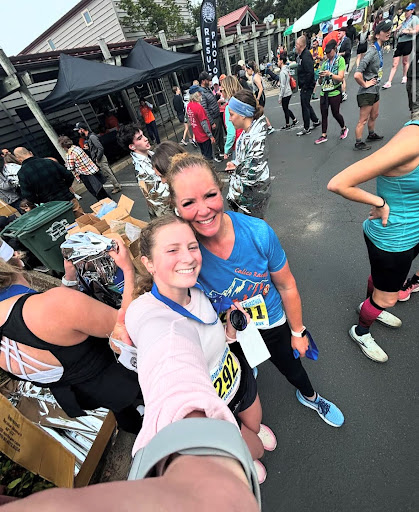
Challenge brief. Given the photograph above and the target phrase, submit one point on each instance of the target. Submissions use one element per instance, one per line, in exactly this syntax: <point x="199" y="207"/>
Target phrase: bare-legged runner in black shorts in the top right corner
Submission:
<point x="406" y="34"/>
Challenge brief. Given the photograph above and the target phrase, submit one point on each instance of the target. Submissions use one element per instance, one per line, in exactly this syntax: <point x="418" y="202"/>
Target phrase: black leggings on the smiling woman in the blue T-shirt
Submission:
<point x="278" y="341"/>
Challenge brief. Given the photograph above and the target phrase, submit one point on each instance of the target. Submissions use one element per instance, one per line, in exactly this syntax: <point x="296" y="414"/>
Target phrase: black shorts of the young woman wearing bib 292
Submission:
<point x="247" y="392"/>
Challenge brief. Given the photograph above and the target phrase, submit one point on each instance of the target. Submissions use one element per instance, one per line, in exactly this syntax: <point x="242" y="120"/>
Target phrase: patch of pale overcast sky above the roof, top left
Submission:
<point x="22" y="21"/>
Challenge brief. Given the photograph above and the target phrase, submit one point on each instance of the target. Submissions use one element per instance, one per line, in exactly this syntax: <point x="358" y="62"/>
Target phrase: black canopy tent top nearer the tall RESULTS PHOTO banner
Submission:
<point x="159" y="62"/>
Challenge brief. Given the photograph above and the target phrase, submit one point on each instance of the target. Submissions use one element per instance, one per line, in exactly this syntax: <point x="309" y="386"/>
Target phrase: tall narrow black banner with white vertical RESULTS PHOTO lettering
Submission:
<point x="209" y="36"/>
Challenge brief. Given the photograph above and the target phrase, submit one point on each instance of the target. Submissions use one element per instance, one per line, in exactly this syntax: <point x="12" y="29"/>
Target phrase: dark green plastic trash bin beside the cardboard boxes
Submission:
<point x="43" y="230"/>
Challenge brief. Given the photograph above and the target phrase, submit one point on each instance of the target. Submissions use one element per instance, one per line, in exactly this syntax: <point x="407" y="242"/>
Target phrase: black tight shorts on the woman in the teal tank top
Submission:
<point x="389" y="270"/>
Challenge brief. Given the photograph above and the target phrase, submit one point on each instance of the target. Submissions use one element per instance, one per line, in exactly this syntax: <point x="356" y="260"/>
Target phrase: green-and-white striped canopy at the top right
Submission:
<point x="325" y="10"/>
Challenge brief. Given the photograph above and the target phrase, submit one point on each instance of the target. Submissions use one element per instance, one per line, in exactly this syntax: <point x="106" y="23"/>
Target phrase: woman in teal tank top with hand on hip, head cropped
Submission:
<point x="391" y="231"/>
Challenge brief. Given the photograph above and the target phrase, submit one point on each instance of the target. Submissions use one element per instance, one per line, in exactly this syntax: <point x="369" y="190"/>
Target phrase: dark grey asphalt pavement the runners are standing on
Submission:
<point x="369" y="464"/>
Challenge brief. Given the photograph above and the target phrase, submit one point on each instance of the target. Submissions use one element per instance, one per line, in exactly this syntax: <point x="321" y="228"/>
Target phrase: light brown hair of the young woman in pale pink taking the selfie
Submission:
<point x="147" y="240"/>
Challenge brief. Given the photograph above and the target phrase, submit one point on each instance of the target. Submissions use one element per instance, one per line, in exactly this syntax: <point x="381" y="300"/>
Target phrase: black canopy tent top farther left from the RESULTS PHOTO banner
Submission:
<point x="81" y="80"/>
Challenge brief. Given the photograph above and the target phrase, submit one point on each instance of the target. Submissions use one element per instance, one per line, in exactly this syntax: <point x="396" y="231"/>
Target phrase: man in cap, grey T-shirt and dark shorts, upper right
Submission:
<point x="368" y="76"/>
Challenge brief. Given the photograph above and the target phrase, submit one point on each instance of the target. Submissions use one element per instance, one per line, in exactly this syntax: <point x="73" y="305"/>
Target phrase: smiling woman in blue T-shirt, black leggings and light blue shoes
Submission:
<point x="243" y="258"/>
